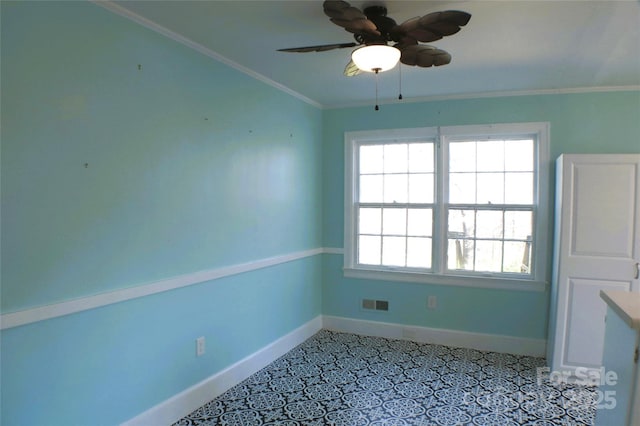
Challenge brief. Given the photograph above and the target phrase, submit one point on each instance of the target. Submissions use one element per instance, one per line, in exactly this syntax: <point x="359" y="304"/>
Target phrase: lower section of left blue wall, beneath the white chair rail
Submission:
<point x="107" y="365"/>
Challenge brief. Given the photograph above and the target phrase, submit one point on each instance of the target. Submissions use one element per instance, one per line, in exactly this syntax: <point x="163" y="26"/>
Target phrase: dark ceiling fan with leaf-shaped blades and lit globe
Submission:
<point x="372" y="27"/>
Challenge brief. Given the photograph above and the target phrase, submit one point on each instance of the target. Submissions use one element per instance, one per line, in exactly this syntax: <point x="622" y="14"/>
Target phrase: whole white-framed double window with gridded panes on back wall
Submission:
<point x="458" y="205"/>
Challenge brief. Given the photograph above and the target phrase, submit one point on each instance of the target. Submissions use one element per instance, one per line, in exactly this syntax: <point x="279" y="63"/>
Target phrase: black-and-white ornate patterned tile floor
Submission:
<point x="345" y="379"/>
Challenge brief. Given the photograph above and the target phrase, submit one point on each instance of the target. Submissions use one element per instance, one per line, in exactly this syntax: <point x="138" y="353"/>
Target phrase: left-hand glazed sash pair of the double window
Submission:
<point x="395" y="204"/>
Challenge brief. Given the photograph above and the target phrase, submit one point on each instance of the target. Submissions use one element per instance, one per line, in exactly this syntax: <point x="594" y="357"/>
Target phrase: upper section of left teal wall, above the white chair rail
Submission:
<point x="190" y="164"/>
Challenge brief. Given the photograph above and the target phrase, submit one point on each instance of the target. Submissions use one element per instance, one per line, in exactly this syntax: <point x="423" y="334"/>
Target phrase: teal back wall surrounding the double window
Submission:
<point x="579" y="123"/>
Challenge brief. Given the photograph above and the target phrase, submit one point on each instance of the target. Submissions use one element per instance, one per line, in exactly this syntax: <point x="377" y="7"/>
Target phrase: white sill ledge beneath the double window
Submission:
<point x="454" y="280"/>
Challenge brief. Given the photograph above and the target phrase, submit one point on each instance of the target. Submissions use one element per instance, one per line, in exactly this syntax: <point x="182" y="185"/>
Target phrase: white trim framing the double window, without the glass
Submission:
<point x="541" y="258"/>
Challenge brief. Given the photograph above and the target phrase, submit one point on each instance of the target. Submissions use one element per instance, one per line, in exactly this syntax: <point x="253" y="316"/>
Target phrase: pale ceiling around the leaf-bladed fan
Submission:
<point x="508" y="46"/>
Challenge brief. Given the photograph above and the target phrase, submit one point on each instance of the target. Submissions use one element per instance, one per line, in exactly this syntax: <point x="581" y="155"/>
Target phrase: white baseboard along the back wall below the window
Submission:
<point x="455" y="338"/>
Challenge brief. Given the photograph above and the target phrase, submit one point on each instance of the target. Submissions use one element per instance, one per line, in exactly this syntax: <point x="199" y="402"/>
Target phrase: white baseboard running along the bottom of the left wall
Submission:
<point x="196" y="396"/>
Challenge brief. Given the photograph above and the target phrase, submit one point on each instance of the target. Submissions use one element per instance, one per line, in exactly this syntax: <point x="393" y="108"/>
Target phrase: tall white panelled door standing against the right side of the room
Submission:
<point x="596" y="247"/>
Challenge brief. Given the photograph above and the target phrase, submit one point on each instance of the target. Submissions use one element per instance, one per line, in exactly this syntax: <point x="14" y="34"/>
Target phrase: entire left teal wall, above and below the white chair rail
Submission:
<point x="115" y="175"/>
